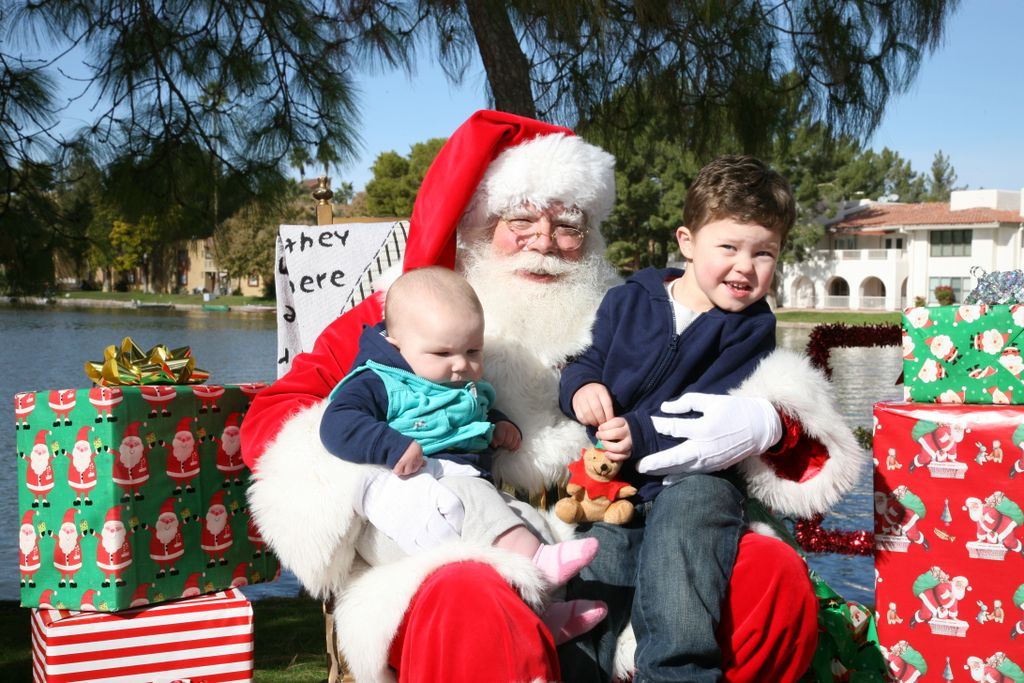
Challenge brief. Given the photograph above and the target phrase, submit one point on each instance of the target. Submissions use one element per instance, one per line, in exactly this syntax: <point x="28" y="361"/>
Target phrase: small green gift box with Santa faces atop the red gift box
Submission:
<point x="967" y="354"/>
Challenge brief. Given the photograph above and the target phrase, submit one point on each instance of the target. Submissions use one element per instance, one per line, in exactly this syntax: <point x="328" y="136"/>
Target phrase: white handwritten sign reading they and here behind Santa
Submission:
<point x="324" y="271"/>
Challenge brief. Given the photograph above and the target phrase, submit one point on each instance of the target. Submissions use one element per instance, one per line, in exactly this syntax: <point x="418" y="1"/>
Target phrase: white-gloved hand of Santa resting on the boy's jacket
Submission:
<point x="731" y="430"/>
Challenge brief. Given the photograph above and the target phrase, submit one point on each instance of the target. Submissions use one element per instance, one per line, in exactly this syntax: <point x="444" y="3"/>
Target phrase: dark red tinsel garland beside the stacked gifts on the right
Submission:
<point x="810" y="535"/>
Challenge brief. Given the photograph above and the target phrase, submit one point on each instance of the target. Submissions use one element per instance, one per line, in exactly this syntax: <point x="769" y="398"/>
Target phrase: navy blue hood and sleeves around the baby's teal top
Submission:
<point x="355" y="426"/>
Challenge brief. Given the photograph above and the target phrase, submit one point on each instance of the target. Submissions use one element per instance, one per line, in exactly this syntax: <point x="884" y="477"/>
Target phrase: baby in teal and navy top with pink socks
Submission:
<point x="416" y="391"/>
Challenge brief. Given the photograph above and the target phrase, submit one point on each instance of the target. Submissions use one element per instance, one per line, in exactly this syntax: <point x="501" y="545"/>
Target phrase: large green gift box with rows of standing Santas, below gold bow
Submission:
<point x="134" y="495"/>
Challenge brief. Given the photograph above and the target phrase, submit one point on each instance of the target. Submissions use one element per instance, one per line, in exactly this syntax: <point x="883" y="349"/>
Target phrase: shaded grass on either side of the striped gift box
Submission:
<point x="289" y="642"/>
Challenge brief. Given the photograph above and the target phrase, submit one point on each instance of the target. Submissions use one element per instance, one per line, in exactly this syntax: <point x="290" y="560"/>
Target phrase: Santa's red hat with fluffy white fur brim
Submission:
<point x="496" y="161"/>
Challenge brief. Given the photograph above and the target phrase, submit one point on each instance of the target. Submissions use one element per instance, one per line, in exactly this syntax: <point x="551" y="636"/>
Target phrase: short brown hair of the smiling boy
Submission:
<point x="742" y="188"/>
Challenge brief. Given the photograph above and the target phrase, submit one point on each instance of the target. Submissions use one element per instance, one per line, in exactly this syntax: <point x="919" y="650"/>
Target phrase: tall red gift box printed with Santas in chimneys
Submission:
<point x="950" y="541"/>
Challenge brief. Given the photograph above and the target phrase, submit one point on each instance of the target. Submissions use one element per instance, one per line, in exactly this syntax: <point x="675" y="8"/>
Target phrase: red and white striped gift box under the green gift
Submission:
<point x="208" y="639"/>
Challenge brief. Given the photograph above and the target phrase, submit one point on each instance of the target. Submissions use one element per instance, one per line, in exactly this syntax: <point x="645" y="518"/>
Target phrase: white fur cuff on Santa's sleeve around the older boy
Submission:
<point x="788" y="380"/>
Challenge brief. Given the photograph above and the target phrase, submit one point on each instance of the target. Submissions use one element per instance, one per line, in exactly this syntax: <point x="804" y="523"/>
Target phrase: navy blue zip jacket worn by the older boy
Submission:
<point x="636" y="354"/>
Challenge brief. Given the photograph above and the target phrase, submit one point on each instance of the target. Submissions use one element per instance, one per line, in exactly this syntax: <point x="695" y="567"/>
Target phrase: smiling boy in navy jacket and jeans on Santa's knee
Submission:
<point x="664" y="333"/>
